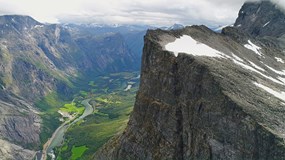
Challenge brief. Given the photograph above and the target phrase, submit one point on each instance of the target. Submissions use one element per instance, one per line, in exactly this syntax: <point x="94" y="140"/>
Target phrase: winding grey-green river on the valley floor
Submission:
<point x="58" y="136"/>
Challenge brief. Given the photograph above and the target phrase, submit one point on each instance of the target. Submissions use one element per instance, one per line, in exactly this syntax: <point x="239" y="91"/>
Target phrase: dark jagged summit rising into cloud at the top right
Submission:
<point x="263" y="18"/>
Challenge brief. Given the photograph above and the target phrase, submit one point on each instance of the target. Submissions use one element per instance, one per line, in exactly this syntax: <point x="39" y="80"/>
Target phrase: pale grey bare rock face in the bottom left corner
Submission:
<point x="19" y="129"/>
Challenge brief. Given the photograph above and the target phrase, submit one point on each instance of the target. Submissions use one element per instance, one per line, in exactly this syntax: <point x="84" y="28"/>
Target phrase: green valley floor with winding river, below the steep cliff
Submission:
<point x="107" y="106"/>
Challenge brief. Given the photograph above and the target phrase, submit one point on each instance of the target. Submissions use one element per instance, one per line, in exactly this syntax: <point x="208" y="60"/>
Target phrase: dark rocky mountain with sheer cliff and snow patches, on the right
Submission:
<point x="206" y="95"/>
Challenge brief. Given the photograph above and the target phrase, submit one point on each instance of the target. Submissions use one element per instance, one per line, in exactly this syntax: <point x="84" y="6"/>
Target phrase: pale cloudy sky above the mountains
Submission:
<point x="152" y="12"/>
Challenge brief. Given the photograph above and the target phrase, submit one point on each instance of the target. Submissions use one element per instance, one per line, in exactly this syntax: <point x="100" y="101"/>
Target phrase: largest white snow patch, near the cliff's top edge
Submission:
<point x="186" y="44"/>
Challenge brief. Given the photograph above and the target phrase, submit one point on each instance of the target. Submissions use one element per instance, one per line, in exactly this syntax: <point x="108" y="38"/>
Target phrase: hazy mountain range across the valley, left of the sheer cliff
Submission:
<point x="47" y="60"/>
